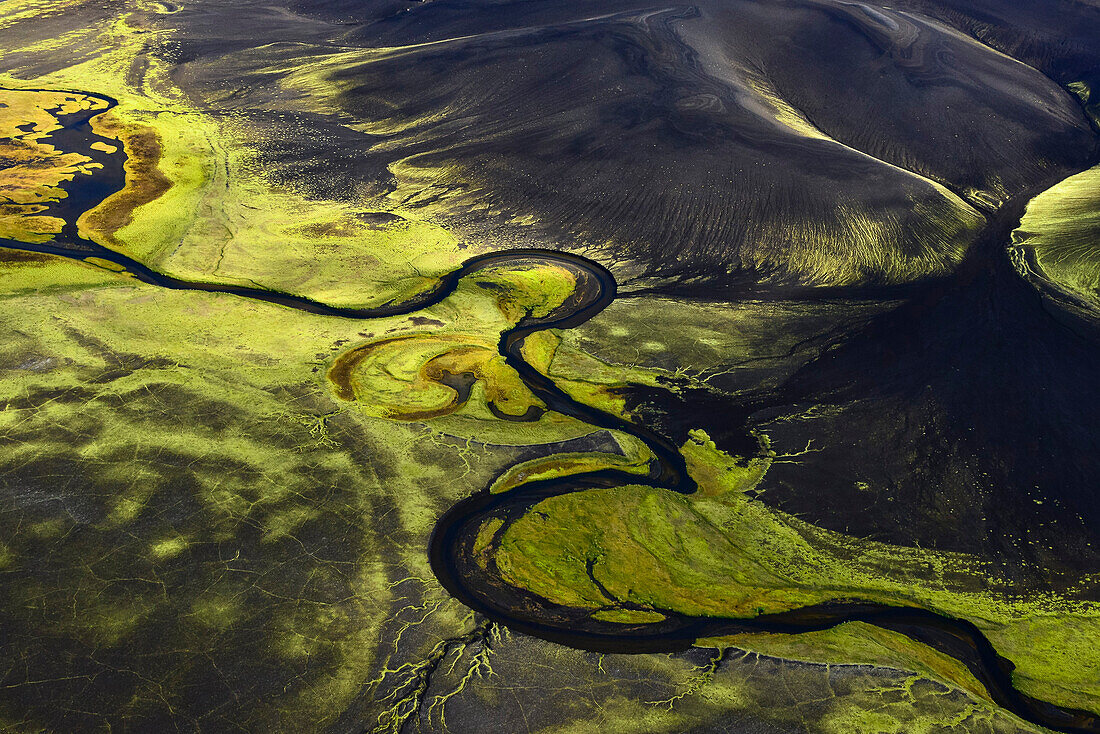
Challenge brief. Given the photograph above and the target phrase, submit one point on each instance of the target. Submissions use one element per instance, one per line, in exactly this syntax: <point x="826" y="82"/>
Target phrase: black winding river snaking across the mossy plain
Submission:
<point x="453" y="542"/>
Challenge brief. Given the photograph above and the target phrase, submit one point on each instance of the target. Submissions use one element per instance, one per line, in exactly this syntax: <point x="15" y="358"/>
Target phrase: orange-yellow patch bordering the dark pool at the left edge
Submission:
<point x="35" y="170"/>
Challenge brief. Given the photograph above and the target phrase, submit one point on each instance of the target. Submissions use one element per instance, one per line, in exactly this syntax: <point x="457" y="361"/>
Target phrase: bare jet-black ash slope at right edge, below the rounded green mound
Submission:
<point x="965" y="421"/>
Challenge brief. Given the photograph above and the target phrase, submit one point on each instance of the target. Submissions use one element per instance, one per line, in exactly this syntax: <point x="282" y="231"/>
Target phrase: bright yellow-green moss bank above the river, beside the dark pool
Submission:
<point x="194" y="212"/>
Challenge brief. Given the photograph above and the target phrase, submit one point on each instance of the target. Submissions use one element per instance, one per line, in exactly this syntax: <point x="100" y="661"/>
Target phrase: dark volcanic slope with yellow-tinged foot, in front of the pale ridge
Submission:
<point x="613" y="130"/>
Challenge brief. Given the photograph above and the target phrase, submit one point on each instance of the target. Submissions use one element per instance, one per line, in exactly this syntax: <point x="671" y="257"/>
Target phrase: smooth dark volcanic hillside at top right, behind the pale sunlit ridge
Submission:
<point x="926" y="97"/>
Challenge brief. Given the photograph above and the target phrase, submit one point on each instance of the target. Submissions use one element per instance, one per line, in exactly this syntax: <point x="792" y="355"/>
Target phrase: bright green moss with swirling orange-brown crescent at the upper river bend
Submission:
<point x="402" y="375"/>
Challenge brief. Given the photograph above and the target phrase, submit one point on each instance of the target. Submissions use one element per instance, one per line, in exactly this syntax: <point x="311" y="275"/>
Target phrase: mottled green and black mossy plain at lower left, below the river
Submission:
<point x="171" y="421"/>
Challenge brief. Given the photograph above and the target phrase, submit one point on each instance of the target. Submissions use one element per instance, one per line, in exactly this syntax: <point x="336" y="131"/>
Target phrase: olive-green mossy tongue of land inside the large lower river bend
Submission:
<point x="720" y="554"/>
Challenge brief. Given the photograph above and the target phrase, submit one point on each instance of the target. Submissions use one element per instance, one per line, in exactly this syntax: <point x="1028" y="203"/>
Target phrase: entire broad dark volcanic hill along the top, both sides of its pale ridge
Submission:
<point x="786" y="141"/>
